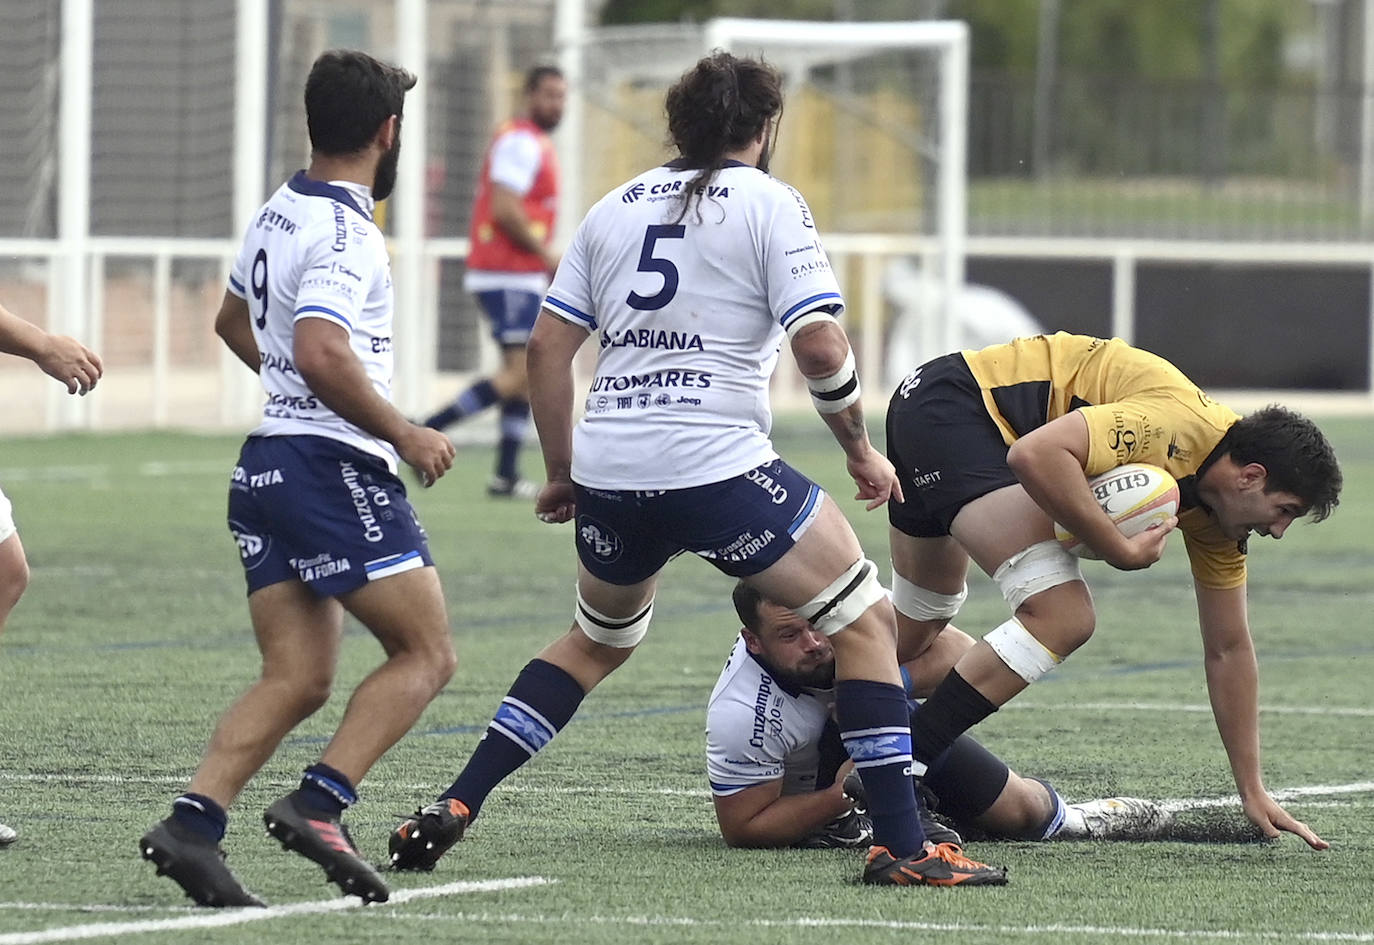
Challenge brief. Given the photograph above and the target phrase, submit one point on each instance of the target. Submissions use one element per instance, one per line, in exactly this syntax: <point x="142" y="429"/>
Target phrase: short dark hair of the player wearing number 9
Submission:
<point x="348" y="97"/>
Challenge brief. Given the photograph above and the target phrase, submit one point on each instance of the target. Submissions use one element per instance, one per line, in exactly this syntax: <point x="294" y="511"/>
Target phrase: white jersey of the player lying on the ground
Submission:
<point x="758" y="731"/>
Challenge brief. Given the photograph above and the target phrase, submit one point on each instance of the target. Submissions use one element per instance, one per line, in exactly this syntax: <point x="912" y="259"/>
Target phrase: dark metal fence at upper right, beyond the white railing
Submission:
<point x="1166" y="160"/>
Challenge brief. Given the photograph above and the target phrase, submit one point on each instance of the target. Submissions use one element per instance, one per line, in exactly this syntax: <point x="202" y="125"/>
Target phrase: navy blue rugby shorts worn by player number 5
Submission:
<point x="741" y="525"/>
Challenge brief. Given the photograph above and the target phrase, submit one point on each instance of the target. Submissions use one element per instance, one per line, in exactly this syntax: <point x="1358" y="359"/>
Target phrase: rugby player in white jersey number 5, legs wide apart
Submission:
<point x="692" y="277"/>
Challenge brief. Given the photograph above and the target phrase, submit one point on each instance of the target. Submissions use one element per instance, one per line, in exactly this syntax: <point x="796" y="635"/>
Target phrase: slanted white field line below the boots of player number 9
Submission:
<point x="223" y="918"/>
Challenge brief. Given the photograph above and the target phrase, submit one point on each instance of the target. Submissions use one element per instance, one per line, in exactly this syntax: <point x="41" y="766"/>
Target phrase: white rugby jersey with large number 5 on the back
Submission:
<point x="690" y="318"/>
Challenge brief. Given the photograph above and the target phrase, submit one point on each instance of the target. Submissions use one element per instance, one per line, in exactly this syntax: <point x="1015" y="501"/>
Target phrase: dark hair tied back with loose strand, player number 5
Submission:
<point x="719" y="106"/>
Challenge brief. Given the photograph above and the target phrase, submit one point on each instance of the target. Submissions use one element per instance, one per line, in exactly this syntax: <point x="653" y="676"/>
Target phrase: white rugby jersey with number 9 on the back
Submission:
<point x="313" y="252"/>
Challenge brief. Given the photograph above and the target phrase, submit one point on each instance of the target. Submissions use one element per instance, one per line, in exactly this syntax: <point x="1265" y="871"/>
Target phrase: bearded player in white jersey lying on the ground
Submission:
<point x="777" y="764"/>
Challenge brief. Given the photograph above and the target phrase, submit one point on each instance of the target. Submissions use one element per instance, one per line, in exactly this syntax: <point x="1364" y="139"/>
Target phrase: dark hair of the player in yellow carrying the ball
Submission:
<point x="1295" y="454"/>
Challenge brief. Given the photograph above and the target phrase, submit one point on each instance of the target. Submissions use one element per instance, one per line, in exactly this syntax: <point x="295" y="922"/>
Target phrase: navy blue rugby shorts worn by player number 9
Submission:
<point x="321" y="512"/>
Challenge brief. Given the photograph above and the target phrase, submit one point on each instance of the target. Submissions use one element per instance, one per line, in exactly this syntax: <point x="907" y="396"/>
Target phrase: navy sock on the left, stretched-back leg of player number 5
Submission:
<point x="541" y="703"/>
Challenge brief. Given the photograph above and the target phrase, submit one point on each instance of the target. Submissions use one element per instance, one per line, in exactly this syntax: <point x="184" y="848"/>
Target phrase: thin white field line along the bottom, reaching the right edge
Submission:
<point x="895" y="925"/>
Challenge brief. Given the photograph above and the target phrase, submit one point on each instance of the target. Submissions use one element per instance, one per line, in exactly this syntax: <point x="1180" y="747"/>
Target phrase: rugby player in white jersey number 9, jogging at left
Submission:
<point x="319" y="514"/>
